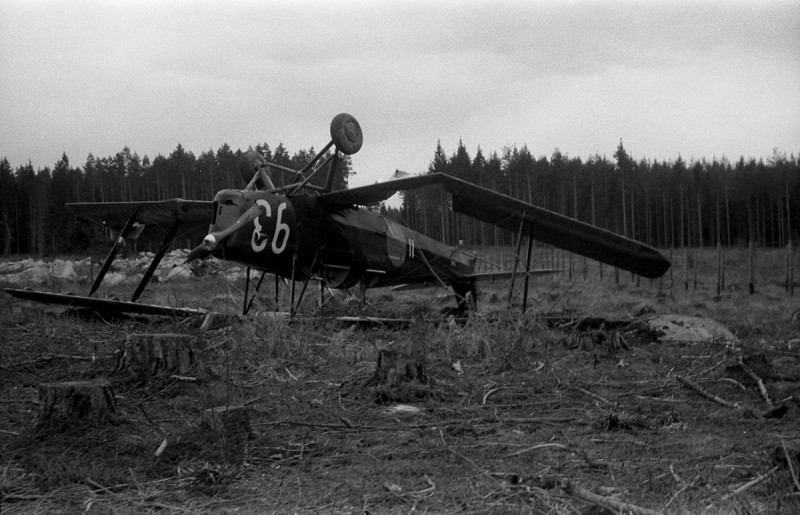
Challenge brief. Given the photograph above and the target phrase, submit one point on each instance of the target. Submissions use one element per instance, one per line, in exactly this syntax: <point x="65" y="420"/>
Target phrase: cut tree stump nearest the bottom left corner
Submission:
<point x="75" y="404"/>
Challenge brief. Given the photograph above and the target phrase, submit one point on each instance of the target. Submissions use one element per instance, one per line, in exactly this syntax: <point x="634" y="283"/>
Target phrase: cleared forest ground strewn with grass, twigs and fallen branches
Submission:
<point x="511" y="416"/>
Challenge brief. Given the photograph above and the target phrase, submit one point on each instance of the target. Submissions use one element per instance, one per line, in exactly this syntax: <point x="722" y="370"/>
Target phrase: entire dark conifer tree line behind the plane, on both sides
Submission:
<point x="668" y="204"/>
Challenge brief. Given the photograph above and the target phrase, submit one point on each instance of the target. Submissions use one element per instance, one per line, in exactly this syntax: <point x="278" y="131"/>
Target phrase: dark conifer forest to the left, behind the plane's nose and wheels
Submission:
<point x="33" y="219"/>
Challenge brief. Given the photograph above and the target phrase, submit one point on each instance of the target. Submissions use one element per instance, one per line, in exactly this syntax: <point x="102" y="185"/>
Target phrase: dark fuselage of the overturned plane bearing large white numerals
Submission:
<point x="296" y="238"/>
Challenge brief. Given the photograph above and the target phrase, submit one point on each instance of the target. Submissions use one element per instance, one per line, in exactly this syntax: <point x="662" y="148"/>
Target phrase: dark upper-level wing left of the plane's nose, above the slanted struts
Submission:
<point x="162" y="212"/>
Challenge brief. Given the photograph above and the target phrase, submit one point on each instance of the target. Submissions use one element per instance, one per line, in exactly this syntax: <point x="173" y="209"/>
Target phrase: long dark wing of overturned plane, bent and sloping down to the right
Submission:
<point x="514" y="214"/>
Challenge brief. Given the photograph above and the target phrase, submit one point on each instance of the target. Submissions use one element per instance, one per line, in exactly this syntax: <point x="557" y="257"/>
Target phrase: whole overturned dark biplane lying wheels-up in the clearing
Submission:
<point x="301" y="232"/>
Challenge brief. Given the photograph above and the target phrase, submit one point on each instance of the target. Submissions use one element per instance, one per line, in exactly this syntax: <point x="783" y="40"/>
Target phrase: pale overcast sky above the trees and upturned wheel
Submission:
<point x="697" y="79"/>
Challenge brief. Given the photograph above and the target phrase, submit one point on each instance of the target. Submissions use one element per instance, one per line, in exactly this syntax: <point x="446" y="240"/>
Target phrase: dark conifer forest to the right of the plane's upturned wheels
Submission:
<point x="667" y="204"/>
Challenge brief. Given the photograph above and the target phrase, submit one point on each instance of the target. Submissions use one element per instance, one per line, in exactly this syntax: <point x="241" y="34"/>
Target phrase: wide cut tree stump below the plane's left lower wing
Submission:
<point x="150" y="355"/>
